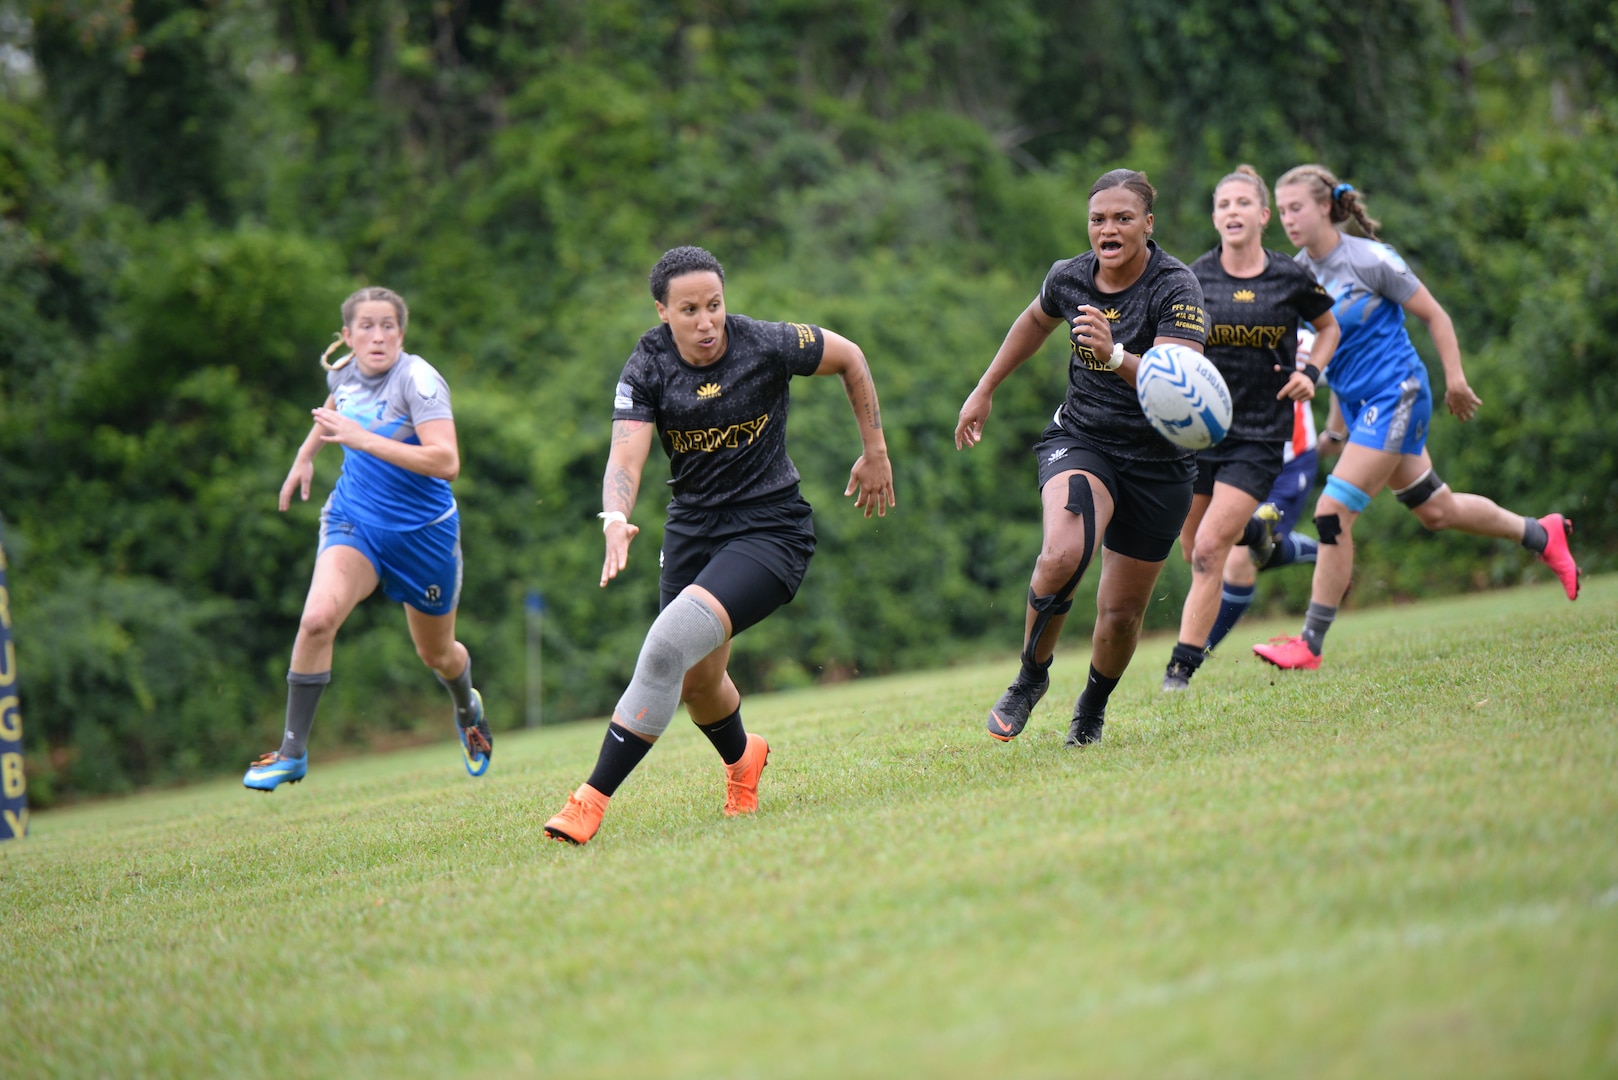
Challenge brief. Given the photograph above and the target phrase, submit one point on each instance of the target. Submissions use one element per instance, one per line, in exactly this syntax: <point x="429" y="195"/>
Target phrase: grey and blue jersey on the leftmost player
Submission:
<point x="370" y="490"/>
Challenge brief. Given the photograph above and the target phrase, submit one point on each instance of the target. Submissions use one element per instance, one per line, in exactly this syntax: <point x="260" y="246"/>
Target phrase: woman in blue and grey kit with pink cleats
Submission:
<point x="1387" y="402"/>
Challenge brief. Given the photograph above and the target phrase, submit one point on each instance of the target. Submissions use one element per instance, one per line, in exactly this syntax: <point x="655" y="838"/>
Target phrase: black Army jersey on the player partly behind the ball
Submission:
<point x="1253" y="326"/>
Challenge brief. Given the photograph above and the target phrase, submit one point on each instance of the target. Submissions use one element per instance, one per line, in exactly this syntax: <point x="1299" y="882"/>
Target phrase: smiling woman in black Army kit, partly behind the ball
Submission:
<point x="1255" y="300"/>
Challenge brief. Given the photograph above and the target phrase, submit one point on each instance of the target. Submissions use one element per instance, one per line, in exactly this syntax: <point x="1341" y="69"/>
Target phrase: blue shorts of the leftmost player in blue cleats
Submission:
<point x="418" y="568"/>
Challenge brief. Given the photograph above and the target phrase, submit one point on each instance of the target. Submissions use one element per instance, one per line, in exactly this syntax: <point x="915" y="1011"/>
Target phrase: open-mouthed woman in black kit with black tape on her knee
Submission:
<point x="1103" y="472"/>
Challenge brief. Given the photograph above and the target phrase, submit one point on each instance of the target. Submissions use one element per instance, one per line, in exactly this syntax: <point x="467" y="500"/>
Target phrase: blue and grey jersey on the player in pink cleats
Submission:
<point x="1368" y="283"/>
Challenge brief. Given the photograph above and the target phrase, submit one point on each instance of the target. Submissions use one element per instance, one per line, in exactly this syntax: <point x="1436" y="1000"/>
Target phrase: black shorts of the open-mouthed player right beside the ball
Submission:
<point x="1151" y="500"/>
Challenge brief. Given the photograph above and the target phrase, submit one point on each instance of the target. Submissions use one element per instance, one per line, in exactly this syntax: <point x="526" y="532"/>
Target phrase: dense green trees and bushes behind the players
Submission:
<point x="188" y="189"/>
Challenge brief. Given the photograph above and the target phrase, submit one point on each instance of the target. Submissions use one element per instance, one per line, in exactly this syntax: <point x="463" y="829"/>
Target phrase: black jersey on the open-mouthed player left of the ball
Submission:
<point x="1164" y="302"/>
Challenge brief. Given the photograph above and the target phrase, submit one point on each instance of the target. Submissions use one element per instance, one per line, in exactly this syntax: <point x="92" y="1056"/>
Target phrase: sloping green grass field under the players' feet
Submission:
<point x="1402" y="865"/>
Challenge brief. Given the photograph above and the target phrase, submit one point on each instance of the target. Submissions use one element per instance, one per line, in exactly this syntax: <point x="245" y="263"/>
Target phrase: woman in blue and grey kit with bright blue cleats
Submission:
<point x="391" y="522"/>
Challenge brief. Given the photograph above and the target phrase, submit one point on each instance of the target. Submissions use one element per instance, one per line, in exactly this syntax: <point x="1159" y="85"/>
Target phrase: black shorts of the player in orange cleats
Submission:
<point x="752" y="556"/>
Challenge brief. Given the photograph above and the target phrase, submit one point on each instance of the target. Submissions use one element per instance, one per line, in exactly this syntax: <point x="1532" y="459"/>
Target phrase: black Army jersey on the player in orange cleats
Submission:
<point x="724" y="425"/>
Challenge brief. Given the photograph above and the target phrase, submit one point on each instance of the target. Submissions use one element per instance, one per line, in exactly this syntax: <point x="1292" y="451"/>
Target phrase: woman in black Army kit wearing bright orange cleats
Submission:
<point x="739" y="535"/>
